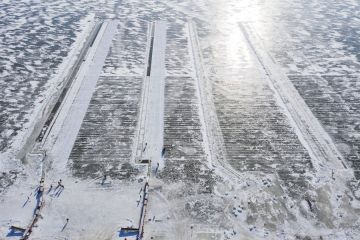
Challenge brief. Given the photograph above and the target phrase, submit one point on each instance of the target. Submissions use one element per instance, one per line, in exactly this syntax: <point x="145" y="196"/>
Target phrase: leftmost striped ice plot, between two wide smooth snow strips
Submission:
<point x="105" y="140"/>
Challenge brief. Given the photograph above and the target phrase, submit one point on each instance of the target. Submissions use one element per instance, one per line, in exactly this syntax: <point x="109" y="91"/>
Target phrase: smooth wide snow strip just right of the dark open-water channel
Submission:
<point x="74" y="108"/>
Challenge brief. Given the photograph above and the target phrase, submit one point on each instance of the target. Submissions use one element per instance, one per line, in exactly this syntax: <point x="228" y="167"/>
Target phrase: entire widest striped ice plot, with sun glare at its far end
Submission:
<point x="257" y="133"/>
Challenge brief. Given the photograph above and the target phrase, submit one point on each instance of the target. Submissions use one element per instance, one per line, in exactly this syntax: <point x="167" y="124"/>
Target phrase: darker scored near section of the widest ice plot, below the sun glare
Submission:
<point x="256" y="132"/>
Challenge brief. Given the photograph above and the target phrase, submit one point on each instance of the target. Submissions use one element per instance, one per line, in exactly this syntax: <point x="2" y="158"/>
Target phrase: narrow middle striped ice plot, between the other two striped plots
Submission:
<point x="185" y="158"/>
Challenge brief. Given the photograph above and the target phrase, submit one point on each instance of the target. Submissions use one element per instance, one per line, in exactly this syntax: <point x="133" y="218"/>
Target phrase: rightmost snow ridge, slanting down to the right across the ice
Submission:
<point x="309" y="130"/>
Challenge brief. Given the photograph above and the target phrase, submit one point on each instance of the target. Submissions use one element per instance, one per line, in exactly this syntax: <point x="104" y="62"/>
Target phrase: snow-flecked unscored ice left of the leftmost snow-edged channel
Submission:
<point x="35" y="38"/>
